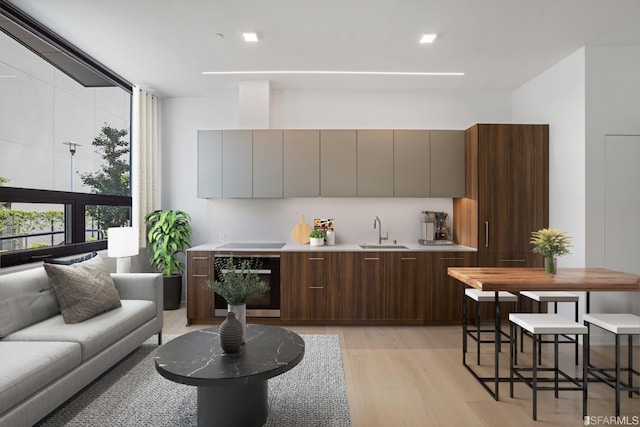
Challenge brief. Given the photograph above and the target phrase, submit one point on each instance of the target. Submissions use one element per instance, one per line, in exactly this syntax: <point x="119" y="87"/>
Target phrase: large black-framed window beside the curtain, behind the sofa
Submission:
<point x="65" y="142"/>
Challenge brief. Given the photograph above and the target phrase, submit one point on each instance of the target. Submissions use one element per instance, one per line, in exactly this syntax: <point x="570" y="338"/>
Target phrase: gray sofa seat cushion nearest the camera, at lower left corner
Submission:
<point x="27" y="367"/>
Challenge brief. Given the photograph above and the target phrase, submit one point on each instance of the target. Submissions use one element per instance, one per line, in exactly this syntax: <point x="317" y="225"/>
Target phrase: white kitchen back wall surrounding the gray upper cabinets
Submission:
<point x="248" y="220"/>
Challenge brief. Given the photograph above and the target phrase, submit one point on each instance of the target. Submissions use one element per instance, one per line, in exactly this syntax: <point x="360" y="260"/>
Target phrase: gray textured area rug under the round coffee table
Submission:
<point x="312" y="394"/>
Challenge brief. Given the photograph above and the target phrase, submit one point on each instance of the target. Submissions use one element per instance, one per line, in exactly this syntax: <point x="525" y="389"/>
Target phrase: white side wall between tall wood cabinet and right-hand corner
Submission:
<point x="557" y="97"/>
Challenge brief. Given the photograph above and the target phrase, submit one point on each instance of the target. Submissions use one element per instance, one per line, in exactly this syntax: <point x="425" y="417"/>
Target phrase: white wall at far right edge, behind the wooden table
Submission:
<point x="613" y="91"/>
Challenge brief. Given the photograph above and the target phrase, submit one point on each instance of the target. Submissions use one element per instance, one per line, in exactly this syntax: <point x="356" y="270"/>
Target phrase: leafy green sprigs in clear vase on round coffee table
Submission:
<point x="238" y="282"/>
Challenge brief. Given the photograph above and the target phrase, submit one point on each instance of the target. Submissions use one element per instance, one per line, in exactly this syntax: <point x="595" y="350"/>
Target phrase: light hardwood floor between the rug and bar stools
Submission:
<point x="413" y="376"/>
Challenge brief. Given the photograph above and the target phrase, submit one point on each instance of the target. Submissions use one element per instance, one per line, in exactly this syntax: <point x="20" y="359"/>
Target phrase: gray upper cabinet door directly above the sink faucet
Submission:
<point x="375" y="163"/>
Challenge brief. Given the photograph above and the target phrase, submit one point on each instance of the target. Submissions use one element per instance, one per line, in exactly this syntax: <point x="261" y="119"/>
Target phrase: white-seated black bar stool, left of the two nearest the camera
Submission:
<point x="546" y="324"/>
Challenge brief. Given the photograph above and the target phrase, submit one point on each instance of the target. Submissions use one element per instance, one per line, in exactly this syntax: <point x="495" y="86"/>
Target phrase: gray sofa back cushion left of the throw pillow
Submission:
<point x="26" y="297"/>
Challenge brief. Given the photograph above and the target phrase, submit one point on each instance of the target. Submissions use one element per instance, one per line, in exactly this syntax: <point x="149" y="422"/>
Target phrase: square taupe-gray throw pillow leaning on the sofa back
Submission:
<point x="84" y="289"/>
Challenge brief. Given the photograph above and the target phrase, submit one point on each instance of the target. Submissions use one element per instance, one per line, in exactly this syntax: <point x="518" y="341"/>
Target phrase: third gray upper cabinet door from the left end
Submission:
<point x="267" y="163"/>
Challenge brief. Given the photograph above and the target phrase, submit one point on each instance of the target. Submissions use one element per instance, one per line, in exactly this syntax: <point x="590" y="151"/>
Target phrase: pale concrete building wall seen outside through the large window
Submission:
<point x="42" y="107"/>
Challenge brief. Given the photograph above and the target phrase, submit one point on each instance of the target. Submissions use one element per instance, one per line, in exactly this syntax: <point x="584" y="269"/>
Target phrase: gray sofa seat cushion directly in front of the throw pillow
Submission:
<point x="95" y="334"/>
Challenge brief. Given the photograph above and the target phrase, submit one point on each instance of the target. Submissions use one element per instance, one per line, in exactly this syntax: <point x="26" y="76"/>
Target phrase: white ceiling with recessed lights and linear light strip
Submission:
<point x="165" y="45"/>
